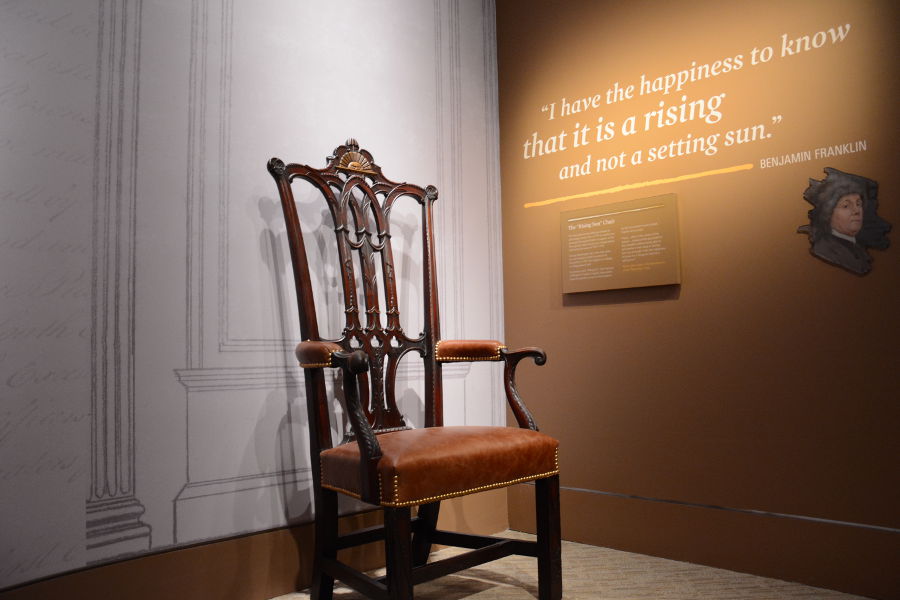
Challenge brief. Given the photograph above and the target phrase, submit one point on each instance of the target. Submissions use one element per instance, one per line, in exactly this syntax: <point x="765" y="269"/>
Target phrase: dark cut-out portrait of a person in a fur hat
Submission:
<point x="844" y="221"/>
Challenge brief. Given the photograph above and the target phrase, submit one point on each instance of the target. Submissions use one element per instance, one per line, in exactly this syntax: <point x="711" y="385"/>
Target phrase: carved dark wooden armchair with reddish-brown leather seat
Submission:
<point x="384" y="461"/>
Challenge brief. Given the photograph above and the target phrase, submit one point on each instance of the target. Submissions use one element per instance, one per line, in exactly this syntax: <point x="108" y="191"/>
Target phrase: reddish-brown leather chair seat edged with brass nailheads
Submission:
<point x="425" y="465"/>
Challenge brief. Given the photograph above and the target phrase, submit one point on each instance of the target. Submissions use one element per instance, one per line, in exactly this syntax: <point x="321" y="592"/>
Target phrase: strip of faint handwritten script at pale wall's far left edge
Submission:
<point x="47" y="99"/>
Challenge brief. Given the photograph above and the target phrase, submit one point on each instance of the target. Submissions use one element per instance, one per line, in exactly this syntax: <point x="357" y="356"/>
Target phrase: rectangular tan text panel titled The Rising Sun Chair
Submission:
<point x="621" y="245"/>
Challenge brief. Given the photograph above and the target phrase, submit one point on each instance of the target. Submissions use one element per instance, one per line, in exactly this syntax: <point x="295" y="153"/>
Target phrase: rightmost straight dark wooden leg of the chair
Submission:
<point x="548" y="542"/>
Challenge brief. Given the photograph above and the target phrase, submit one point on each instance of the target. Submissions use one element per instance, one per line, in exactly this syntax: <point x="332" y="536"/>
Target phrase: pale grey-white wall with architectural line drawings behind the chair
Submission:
<point x="146" y="282"/>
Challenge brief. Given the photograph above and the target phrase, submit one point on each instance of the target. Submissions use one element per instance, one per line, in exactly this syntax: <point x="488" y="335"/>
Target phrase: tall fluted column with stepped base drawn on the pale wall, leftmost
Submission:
<point x="114" y="525"/>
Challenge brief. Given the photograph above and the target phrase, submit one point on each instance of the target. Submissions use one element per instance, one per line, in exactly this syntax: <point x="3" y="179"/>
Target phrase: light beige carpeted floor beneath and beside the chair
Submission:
<point x="593" y="573"/>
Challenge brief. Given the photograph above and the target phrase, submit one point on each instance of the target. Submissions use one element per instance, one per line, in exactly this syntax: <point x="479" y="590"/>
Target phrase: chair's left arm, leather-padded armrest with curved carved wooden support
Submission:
<point x="318" y="355"/>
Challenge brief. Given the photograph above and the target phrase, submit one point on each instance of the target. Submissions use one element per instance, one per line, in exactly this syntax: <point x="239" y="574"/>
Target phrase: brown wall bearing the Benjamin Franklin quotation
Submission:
<point x="768" y="380"/>
